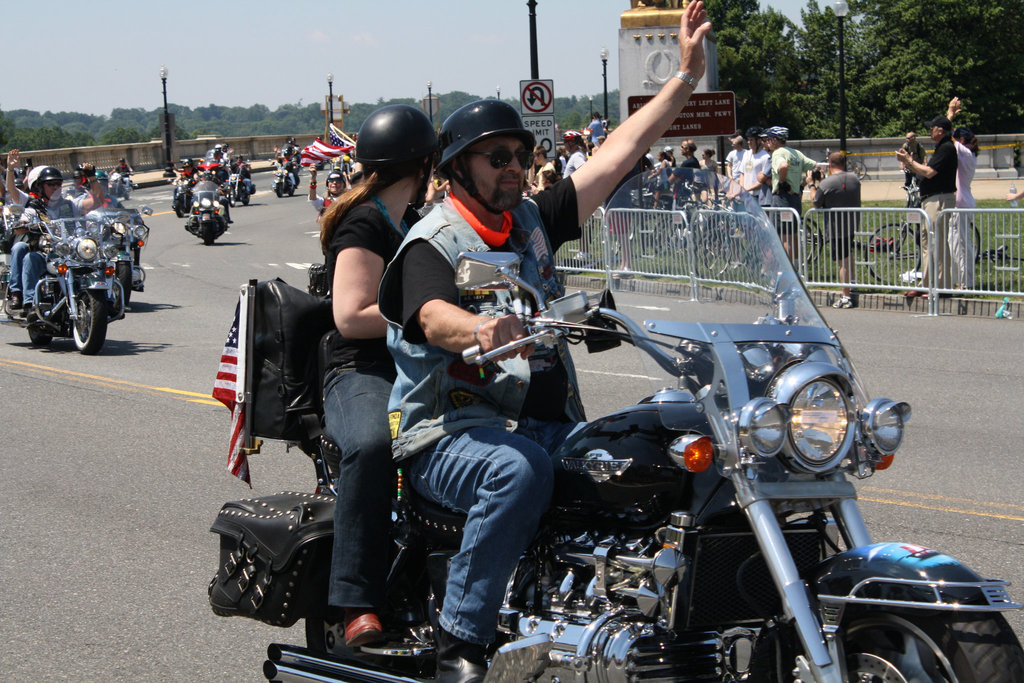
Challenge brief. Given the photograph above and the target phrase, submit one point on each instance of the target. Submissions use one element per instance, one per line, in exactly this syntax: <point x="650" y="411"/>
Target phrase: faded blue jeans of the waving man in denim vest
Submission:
<point x="503" y="483"/>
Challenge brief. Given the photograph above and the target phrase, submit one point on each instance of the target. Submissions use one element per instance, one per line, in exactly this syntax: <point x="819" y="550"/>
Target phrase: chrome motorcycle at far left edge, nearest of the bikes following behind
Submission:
<point x="78" y="296"/>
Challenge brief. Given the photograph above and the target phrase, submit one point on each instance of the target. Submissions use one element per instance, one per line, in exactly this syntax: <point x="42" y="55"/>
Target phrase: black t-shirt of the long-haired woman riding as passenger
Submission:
<point x="367" y="228"/>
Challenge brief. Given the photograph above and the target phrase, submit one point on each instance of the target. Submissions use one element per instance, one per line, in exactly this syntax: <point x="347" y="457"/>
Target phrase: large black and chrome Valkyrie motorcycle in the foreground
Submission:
<point x="709" y="531"/>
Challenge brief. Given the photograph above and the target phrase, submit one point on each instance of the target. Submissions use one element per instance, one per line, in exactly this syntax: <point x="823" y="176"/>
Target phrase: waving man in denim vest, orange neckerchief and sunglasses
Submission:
<point x="479" y="440"/>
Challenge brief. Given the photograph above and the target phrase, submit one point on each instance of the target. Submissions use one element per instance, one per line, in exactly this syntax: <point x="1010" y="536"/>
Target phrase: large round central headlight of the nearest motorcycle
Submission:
<point x="820" y="423"/>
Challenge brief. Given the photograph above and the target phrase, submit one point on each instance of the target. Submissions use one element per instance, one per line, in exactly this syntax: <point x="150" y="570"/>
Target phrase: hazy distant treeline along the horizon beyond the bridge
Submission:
<point x="31" y="131"/>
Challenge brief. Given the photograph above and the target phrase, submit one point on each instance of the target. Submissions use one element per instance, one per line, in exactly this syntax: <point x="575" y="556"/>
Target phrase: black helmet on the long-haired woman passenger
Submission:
<point x="394" y="135"/>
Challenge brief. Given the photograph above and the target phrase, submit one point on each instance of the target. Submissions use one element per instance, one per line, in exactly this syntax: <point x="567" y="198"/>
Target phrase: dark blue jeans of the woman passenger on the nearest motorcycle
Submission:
<point x="356" y="419"/>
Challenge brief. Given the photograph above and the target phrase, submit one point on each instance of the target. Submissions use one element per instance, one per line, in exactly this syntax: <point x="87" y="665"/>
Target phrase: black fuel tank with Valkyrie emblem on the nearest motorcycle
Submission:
<point x="617" y="471"/>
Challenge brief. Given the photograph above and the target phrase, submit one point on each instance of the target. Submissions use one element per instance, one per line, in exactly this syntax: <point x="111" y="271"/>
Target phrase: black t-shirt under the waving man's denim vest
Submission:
<point x="428" y="276"/>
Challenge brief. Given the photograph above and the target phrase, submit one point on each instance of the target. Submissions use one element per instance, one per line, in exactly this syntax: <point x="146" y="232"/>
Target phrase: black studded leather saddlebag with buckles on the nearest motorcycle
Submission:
<point x="275" y="558"/>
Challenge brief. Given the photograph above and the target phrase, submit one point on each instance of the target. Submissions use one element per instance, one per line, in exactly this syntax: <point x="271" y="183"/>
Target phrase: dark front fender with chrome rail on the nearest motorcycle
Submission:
<point x="907" y="576"/>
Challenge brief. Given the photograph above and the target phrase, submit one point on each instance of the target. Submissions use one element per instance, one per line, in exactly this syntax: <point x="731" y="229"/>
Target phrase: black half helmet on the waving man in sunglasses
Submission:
<point x="479" y="121"/>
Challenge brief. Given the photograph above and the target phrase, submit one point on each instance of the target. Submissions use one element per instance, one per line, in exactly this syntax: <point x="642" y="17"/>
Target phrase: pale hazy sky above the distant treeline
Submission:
<point x="95" y="56"/>
